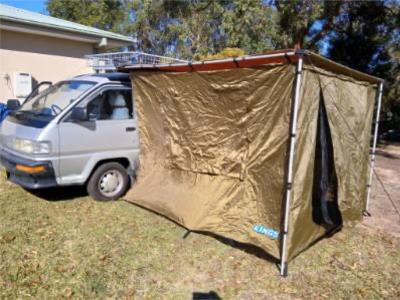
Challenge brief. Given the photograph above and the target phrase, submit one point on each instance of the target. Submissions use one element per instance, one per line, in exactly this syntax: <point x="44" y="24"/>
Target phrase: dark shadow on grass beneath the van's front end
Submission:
<point x="60" y="193"/>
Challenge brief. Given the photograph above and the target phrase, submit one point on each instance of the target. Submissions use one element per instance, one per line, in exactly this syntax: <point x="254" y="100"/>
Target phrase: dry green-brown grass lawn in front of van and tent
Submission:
<point x="78" y="248"/>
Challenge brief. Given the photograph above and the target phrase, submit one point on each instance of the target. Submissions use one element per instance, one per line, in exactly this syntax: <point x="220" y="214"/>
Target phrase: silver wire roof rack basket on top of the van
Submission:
<point x="111" y="61"/>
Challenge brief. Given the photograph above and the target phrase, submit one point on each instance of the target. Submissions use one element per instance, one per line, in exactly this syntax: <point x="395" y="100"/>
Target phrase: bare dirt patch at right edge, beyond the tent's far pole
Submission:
<point x="384" y="215"/>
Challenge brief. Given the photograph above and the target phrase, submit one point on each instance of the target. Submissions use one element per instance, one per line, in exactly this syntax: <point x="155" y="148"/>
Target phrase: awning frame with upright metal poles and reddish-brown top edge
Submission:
<point x="288" y="56"/>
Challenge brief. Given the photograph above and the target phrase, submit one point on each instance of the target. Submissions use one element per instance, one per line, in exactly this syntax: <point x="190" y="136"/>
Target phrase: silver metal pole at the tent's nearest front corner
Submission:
<point x="289" y="176"/>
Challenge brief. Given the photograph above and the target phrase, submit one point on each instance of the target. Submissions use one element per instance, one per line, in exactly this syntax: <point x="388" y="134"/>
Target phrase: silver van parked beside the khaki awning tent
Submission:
<point x="81" y="131"/>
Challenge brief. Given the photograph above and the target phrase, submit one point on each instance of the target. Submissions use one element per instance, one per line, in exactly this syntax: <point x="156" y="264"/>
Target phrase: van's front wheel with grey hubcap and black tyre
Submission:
<point x="108" y="182"/>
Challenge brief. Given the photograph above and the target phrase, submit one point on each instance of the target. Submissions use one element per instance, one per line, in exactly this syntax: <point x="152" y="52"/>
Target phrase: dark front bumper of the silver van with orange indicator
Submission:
<point x="43" y="179"/>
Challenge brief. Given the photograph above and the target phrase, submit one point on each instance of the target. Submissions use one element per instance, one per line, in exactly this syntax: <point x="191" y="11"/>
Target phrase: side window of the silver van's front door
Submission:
<point x="111" y="105"/>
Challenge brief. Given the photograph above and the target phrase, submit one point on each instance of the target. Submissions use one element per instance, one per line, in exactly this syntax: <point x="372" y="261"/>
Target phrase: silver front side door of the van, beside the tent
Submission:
<point x="110" y="132"/>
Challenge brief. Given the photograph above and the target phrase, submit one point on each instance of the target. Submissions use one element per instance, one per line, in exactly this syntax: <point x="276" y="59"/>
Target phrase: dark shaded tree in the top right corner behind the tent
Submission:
<point x="366" y="37"/>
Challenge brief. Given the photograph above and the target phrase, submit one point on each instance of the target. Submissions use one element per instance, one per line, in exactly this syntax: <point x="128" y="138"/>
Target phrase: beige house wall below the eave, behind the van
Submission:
<point x="46" y="58"/>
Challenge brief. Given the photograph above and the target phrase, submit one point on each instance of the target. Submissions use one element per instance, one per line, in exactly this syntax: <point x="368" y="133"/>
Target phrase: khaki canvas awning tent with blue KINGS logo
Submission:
<point x="269" y="150"/>
